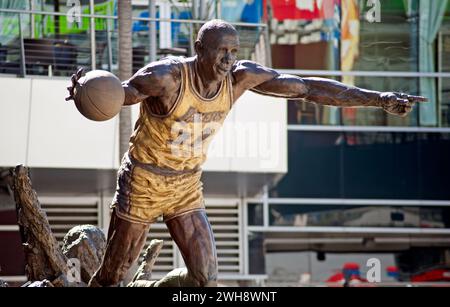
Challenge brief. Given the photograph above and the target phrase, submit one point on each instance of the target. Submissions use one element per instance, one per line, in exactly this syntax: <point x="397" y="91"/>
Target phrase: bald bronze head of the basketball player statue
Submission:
<point x="216" y="46"/>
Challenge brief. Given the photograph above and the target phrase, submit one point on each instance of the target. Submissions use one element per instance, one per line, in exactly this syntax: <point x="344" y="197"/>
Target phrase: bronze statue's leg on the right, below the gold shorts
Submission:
<point x="194" y="237"/>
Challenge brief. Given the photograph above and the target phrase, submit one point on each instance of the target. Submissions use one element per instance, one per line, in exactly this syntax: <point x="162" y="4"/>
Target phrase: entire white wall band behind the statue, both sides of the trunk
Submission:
<point x="39" y="128"/>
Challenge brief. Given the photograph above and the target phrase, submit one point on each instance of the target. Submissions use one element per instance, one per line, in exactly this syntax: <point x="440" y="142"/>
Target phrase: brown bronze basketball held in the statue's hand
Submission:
<point x="99" y="95"/>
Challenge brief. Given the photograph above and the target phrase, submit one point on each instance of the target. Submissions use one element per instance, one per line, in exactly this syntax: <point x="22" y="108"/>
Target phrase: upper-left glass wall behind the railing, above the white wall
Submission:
<point x="55" y="45"/>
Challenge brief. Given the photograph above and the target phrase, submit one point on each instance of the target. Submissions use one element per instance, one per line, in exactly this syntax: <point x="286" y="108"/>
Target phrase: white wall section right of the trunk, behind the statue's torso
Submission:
<point x="252" y="139"/>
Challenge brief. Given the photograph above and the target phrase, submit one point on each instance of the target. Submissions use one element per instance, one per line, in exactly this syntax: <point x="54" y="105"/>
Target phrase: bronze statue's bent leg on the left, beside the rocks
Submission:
<point x="125" y="242"/>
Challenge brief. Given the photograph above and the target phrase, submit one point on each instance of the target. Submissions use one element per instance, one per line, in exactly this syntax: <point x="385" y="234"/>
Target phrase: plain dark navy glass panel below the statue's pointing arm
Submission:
<point x="377" y="165"/>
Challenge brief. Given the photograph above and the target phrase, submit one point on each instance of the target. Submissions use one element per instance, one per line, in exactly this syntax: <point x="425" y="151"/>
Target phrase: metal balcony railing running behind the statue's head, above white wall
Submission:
<point x="23" y="52"/>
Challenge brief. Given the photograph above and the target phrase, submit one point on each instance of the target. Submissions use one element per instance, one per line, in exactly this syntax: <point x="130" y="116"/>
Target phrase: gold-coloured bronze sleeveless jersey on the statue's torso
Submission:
<point x="179" y="140"/>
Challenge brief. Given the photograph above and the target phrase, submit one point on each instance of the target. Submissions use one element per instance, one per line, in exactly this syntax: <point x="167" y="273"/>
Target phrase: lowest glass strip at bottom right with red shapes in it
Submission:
<point x="309" y="268"/>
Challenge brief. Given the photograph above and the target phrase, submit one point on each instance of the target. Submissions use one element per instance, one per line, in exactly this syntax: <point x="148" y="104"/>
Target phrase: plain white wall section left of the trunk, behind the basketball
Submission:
<point x="54" y="134"/>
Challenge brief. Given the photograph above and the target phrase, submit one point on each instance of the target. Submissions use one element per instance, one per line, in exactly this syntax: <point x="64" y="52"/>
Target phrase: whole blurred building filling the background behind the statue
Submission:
<point x="298" y="194"/>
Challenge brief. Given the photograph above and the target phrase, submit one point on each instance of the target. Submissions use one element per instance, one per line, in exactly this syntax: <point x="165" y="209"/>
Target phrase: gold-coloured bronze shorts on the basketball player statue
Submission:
<point x="146" y="192"/>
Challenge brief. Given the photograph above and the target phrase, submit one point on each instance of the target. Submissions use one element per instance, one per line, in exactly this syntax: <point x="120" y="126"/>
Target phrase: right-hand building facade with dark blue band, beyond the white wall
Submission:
<point x="361" y="184"/>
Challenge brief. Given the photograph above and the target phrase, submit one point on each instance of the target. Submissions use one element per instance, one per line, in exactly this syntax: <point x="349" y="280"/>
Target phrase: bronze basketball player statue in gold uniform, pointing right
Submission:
<point x="160" y="173"/>
